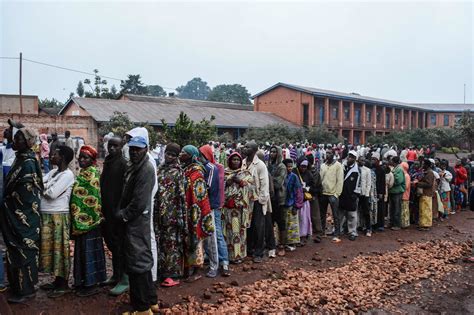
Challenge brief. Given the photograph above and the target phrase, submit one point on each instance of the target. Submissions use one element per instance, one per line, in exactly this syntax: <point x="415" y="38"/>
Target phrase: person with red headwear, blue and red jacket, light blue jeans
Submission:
<point x="215" y="245"/>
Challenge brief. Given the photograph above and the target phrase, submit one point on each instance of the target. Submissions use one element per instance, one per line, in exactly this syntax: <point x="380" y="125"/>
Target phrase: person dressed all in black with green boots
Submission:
<point x="111" y="186"/>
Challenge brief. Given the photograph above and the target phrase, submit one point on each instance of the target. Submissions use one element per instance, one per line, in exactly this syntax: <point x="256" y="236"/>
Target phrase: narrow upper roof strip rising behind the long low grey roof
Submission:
<point x="183" y="101"/>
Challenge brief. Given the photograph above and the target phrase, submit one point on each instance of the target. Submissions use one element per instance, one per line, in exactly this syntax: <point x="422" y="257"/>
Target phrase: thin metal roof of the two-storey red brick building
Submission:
<point x="366" y="99"/>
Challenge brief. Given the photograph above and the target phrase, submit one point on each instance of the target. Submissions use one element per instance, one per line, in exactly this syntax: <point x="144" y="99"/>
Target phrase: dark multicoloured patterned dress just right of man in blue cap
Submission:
<point x="170" y="221"/>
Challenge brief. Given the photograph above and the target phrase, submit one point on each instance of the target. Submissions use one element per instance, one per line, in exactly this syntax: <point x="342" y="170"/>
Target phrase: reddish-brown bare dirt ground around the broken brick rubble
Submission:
<point x="455" y="294"/>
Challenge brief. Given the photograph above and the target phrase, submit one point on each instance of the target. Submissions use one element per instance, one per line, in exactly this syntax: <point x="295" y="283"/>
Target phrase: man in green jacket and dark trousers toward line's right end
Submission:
<point x="395" y="194"/>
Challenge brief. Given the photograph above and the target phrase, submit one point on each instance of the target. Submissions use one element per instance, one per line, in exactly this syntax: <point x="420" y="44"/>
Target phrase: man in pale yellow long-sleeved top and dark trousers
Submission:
<point x="332" y="179"/>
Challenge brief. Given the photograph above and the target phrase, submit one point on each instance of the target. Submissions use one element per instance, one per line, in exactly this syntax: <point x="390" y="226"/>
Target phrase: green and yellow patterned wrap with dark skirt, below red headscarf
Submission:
<point x="86" y="217"/>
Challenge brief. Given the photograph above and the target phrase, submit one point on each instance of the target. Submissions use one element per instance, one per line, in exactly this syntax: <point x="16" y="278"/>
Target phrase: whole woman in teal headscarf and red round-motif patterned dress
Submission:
<point x="200" y="222"/>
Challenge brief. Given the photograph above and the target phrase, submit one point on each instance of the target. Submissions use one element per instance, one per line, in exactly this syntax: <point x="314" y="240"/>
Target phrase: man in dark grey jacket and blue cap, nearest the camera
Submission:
<point x="135" y="214"/>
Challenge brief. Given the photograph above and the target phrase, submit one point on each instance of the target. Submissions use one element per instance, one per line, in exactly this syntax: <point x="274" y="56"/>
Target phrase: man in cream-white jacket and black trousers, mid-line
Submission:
<point x="256" y="239"/>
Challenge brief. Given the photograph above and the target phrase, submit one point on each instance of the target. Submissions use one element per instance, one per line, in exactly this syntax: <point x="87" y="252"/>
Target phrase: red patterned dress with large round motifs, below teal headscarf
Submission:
<point x="200" y="223"/>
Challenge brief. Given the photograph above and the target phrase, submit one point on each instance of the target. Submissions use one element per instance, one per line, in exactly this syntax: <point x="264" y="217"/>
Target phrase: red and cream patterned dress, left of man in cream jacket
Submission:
<point x="236" y="213"/>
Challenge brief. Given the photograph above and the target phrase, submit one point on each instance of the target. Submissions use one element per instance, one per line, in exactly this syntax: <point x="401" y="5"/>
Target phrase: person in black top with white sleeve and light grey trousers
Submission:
<point x="350" y="193"/>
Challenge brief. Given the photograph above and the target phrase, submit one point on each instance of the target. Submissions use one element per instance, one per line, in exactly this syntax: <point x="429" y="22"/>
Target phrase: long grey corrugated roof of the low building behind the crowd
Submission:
<point x="102" y="109"/>
